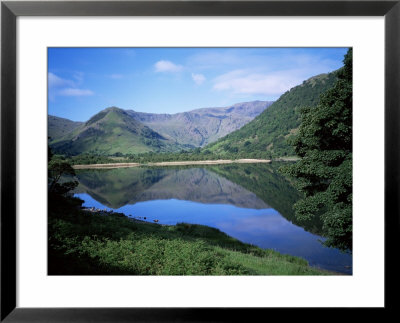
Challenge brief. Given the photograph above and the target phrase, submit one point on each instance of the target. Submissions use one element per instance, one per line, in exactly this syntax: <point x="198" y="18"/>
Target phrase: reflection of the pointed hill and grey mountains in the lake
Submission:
<point x="118" y="187"/>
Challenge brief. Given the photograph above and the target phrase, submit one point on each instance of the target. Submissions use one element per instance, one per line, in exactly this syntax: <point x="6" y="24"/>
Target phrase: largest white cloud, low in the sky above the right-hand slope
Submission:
<point x="248" y="82"/>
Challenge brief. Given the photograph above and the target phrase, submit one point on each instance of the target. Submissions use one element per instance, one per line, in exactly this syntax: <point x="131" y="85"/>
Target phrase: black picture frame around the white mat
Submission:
<point x="10" y="10"/>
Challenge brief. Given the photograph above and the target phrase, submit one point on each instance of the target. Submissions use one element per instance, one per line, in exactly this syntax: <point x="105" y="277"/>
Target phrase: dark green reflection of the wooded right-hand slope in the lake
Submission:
<point x="268" y="184"/>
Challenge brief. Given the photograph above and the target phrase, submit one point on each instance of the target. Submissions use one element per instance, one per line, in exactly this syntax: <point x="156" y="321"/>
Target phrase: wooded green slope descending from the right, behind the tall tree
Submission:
<point x="266" y="136"/>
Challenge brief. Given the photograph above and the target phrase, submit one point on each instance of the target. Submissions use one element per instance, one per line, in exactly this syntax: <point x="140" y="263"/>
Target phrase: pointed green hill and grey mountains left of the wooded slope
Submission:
<point x="115" y="130"/>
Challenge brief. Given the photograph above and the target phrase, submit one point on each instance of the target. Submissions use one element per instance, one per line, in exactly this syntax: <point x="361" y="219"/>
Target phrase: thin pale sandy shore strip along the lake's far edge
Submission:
<point x="176" y="163"/>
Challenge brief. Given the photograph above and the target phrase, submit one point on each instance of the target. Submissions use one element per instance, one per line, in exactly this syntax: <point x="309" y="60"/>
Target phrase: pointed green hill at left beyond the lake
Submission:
<point x="111" y="131"/>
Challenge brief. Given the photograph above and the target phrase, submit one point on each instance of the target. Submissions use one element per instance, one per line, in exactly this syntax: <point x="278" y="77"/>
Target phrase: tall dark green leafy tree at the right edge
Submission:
<point x="324" y="172"/>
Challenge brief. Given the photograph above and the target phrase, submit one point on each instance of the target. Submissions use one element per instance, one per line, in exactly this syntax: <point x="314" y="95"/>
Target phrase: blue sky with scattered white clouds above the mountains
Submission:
<point x="84" y="81"/>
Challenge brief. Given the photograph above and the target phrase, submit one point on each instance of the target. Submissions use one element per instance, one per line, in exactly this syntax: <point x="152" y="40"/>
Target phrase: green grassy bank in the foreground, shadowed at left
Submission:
<point x="87" y="243"/>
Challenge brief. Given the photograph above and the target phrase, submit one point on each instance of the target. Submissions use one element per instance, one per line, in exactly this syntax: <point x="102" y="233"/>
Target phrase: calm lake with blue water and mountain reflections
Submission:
<point x="250" y="202"/>
